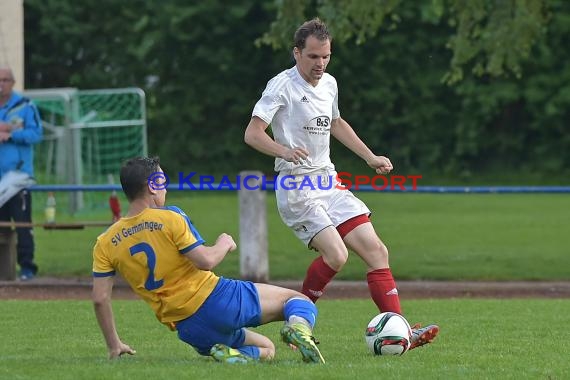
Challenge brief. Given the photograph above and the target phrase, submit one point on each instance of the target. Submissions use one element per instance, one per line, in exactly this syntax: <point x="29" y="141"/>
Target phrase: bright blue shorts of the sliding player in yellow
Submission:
<point x="232" y="306"/>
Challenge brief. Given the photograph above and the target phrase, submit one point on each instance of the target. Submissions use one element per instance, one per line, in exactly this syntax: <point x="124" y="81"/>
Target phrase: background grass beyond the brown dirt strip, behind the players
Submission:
<point x="430" y="236"/>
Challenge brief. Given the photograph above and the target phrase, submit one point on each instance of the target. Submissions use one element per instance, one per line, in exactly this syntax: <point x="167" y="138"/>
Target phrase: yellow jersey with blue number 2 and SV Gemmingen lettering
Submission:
<point x="148" y="251"/>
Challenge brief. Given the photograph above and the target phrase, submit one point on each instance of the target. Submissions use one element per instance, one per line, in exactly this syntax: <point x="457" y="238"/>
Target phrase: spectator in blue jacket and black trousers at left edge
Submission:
<point x="20" y="129"/>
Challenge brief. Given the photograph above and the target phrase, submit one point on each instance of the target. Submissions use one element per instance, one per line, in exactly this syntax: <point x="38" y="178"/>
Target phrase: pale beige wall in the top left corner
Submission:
<point x="12" y="39"/>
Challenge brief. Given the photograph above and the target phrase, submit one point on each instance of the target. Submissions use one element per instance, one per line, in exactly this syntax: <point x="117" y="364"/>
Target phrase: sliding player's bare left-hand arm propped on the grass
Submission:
<point x="101" y="296"/>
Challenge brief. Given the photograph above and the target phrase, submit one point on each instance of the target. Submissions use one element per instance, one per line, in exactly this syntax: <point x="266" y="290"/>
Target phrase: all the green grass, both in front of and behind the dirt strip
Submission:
<point x="431" y="236"/>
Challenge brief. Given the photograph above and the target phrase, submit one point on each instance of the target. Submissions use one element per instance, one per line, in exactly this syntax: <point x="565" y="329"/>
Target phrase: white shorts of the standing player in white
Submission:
<point x="309" y="204"/>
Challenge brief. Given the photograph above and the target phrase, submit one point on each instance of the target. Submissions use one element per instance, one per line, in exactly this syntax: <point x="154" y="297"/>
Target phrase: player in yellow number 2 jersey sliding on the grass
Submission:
<point x="164" y="259"/>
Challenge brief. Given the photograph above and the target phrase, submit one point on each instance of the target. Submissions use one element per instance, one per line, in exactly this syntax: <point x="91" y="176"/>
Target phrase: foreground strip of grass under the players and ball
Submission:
<point x="479" y="339"/>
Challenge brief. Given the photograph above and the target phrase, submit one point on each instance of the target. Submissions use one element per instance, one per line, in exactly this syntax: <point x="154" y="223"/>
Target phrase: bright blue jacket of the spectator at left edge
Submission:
<point x="17" y="152"/>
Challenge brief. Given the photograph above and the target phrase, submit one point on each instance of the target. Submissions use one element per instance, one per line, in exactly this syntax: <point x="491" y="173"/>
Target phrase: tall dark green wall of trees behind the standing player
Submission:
<point x="202" y="73"/>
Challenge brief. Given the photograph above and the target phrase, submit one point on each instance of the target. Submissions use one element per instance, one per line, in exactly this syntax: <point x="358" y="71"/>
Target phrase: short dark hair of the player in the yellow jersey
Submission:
<point x="135" y="174"/>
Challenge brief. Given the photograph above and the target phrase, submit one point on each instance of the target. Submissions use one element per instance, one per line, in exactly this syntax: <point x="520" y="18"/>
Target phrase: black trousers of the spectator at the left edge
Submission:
<point x="19" y="209"/>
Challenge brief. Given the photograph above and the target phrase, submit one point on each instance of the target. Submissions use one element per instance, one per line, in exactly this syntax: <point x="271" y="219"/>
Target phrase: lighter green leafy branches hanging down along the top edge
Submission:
<point x="488" y="37"/>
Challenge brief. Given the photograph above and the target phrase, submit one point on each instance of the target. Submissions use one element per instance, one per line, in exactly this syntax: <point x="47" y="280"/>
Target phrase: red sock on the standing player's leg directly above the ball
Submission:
<point x="383" y="290"/>
